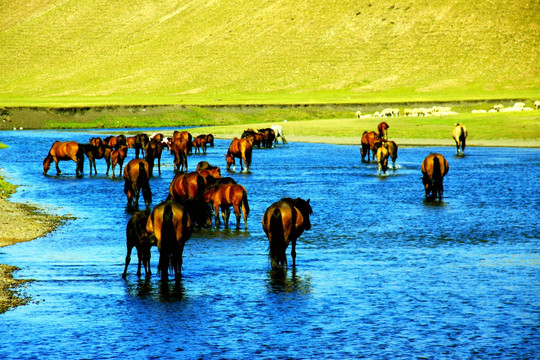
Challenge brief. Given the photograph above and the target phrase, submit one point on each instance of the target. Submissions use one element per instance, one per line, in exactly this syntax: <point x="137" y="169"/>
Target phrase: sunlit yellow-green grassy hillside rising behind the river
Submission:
<point x="85" y="52"/>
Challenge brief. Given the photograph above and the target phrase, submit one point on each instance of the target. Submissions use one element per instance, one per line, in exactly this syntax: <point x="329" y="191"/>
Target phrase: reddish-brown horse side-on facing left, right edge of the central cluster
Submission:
<point x="225" y="196"/>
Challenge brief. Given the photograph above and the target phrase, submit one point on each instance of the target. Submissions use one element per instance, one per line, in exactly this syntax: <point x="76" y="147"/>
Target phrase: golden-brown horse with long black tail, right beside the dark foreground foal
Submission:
<point x="172" y="227"/>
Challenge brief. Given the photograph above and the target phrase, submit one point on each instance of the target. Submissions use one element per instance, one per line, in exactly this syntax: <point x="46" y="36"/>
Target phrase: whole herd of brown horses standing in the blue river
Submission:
<point x="195" y="197"/>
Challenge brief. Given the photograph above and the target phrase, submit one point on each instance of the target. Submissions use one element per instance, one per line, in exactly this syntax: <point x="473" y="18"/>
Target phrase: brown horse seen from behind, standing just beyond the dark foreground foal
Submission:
<point x="137" y="178"/>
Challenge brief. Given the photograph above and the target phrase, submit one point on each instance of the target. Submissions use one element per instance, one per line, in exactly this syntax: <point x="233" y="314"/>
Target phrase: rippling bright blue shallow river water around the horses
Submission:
<point x="381" y="274"/>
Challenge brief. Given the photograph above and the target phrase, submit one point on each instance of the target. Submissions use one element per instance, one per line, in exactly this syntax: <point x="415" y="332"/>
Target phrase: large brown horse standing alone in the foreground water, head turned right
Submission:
<point x="283" y="222"/>
